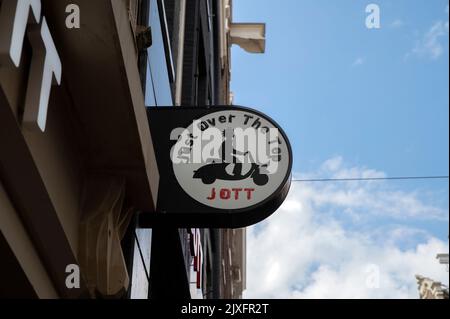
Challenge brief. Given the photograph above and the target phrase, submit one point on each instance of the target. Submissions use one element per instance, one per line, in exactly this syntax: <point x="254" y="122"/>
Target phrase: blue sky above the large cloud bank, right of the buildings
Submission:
<point x="357" y="101"/>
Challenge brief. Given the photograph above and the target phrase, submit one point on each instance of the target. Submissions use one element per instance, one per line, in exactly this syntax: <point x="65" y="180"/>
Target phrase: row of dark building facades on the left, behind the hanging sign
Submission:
<point x="77" y="163"/>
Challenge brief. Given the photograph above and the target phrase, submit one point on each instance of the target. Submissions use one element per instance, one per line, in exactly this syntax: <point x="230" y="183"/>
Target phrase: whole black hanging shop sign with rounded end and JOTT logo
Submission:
<point x="220" y="166"/>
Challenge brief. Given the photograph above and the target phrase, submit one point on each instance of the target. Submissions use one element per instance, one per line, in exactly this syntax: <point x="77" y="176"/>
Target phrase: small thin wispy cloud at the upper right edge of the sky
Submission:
<point x="433" y="42"/>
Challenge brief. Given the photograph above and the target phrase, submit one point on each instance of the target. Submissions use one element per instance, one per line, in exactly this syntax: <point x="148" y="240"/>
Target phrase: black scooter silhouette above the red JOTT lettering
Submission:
<point x="211" y="172"/>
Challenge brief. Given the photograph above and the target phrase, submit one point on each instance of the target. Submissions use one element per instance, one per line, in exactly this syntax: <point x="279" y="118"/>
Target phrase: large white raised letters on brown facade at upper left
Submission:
<point x="17" y="18"/>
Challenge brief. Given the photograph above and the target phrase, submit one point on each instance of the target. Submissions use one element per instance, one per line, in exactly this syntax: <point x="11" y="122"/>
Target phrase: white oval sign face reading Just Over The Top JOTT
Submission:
<point x="231" y="159"/>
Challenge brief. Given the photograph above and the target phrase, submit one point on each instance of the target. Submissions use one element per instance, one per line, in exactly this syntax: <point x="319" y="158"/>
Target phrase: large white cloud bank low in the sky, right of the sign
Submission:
<point x="304" y="251"/>
